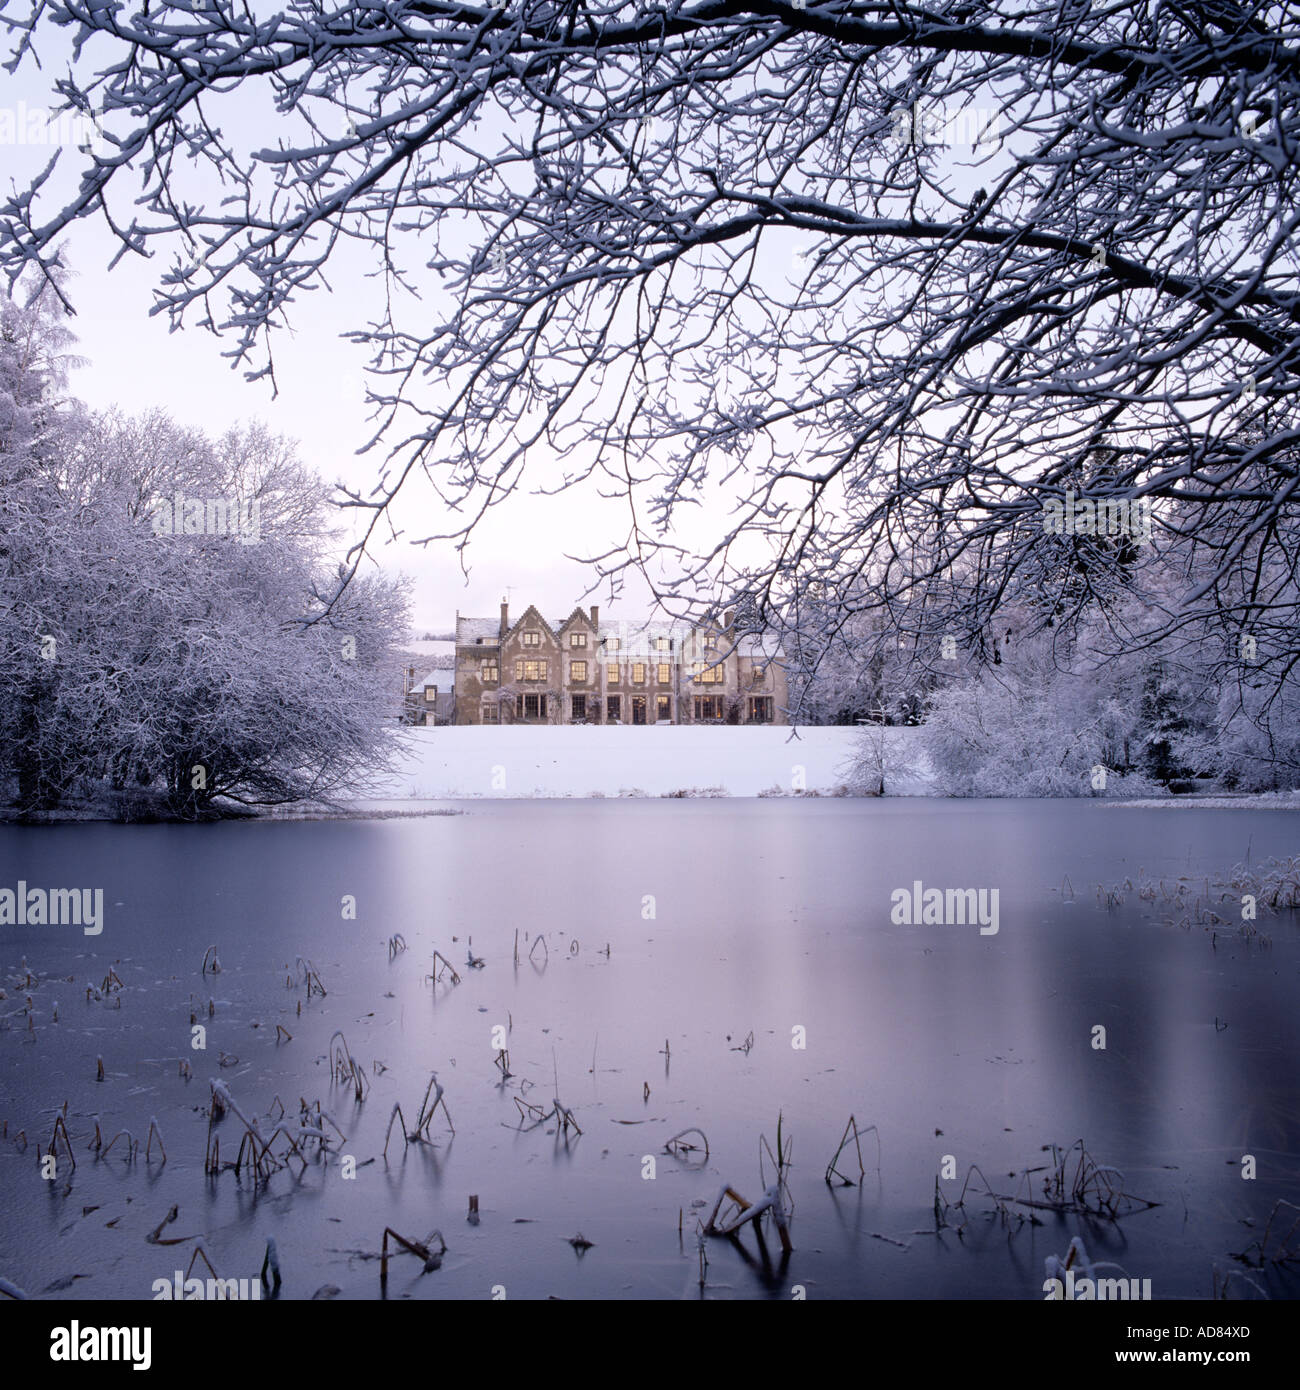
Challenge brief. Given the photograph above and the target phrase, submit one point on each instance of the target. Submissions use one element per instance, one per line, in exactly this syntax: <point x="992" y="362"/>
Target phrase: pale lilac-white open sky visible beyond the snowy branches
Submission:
<point x="137" y="363"/>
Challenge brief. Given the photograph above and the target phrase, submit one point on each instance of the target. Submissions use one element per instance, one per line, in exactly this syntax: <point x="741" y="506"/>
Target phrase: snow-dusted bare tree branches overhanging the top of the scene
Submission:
<point x="897" y="279"/>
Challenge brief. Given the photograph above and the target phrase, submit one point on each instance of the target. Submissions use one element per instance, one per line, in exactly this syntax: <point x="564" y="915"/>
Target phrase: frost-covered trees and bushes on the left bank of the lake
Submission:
<point x="145" y="671"/>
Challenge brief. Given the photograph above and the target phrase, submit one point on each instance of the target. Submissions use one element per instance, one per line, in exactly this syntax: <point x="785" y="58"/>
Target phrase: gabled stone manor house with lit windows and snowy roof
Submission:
<point x="579" y="671"/>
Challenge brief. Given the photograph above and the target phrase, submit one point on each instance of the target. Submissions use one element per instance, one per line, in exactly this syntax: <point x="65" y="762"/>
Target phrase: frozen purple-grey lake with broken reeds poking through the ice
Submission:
<point x="768" y="917"/>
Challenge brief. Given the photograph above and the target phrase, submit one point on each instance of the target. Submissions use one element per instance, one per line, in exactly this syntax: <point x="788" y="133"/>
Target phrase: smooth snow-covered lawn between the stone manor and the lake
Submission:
<point x="625" y="761"/>
